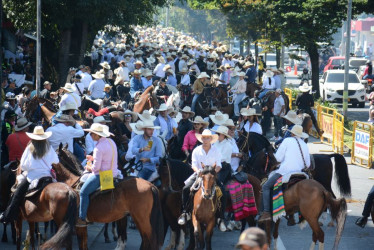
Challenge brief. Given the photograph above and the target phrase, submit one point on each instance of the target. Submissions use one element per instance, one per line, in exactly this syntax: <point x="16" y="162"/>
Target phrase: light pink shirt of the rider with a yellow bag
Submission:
<point x="103" y="154"/>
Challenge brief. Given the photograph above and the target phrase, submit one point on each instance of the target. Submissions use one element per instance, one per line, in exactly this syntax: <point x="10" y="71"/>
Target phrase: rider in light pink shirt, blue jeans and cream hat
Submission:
<point x="104" y="158"/>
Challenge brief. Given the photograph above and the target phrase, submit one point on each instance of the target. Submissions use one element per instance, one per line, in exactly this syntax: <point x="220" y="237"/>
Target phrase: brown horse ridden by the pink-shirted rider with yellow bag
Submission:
<point x="133" y="196"/>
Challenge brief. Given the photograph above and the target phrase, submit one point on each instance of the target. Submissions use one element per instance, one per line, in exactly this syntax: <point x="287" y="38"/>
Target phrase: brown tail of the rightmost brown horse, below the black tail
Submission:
<point x="338" y="209"/>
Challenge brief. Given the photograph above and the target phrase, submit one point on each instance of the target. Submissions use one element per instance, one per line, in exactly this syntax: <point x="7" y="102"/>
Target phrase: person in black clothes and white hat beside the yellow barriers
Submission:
<point x="305" y="102"/>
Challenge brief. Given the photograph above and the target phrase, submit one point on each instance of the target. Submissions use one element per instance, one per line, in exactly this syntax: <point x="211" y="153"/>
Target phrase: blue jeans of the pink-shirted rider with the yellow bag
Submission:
<point x="92" y="183"/>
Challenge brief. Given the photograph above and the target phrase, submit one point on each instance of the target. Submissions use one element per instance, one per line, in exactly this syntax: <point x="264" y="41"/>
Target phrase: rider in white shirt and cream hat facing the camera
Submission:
<point x="206" y="154"/>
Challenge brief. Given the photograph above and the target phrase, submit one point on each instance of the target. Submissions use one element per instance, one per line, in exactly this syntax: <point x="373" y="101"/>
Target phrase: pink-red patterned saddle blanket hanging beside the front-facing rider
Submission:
<point x="242" y="199"/>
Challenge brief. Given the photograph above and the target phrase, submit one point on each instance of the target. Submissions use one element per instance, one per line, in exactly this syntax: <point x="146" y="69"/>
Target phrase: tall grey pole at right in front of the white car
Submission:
<point x="347" y="54"/>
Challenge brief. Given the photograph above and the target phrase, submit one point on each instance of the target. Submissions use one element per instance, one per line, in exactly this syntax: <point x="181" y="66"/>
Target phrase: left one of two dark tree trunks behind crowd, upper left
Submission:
<point x="64" y="55"/>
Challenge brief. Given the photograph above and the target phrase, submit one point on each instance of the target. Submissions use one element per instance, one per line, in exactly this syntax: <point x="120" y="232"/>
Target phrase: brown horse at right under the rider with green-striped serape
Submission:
<point x="309" y="198"/>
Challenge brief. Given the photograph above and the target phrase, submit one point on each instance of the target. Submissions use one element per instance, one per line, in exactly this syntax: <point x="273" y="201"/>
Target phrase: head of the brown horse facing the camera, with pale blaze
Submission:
<point x="208" y="185"/>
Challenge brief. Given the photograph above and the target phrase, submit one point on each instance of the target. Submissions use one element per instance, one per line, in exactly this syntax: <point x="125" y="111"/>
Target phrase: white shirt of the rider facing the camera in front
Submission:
<point x="199" y="156"/>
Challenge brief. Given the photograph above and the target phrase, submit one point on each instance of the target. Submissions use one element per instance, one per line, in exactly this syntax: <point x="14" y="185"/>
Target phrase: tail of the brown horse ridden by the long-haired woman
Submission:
<point x="64" y="233"/>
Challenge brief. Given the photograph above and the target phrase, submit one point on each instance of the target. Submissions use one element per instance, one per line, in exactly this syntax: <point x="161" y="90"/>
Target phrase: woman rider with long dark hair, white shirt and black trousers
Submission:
<point x="36" y="162"/>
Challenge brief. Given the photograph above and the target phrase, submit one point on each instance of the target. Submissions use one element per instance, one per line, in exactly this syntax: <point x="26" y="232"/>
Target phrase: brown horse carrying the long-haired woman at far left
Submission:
<point x="58" y="202"/>
